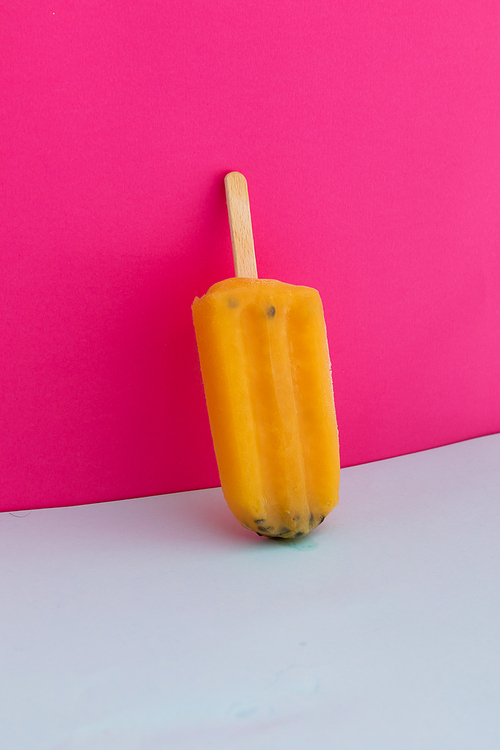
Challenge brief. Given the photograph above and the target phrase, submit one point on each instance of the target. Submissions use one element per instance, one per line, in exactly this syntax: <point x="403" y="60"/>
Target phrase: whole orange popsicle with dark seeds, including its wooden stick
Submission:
<point x="266" y="373"/>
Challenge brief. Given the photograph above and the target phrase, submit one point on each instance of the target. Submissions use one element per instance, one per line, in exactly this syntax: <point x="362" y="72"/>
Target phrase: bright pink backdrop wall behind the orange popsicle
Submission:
<point x="370" y="136"/>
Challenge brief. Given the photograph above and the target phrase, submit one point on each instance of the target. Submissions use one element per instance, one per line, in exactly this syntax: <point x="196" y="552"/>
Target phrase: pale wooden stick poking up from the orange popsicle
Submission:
<point x="240" y="223"/>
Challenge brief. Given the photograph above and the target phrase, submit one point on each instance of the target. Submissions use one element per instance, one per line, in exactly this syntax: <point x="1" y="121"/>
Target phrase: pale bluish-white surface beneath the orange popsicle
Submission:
<point x="159" y="623"/>
